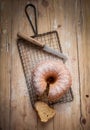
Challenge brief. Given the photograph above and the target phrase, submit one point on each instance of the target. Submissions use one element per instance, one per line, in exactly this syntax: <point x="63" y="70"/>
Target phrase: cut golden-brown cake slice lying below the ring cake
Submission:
<point x="44" y="111"/>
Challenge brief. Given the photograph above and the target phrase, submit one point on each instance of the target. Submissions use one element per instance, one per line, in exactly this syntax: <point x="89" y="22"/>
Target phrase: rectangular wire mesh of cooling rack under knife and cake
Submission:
<point x="31" y="55"/>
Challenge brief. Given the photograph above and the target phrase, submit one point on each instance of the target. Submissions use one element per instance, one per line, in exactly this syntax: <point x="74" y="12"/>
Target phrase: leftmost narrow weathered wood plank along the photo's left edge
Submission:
<point x="5" y="63"/>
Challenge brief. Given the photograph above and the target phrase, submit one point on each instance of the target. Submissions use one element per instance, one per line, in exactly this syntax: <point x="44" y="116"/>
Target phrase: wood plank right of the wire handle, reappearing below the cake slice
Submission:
<point x="44" y="26"/>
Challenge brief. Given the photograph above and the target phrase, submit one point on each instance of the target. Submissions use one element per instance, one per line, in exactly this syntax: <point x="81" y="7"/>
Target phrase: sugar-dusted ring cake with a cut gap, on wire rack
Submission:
<point x="60" y="80"/>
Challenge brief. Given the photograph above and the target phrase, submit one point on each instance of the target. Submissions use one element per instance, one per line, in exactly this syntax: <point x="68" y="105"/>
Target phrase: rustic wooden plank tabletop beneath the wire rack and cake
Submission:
<point x="71" y="18"/>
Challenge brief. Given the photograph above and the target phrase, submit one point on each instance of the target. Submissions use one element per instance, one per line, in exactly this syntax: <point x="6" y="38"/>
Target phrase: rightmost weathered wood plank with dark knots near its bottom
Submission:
<point x="83" y="31"/>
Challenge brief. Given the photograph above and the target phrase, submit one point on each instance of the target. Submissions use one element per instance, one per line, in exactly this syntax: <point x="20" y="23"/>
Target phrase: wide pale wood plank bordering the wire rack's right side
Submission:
<point x="68" y="115"/>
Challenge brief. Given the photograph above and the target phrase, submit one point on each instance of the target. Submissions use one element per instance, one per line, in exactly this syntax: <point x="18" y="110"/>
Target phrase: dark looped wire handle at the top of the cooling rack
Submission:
<point x="35" y="30"/>
